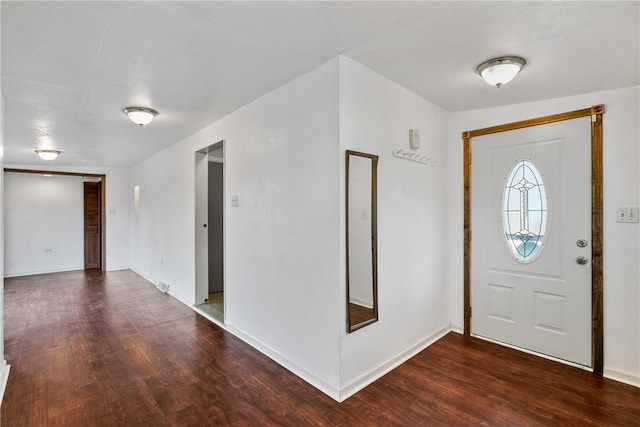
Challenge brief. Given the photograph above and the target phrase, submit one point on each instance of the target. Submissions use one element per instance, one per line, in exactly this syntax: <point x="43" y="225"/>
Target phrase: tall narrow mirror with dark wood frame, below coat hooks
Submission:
<point x="361" y="240"/>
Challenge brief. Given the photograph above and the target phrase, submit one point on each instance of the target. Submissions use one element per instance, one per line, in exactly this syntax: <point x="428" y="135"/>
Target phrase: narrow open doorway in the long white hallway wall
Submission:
<point x="210" y="231"/>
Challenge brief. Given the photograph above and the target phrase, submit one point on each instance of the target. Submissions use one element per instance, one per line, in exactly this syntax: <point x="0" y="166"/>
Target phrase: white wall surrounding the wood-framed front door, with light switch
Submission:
<point x="621" y="189"/>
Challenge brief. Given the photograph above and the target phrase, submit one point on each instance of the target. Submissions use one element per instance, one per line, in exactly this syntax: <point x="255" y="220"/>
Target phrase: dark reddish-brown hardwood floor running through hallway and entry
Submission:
<point x="109" y="349"/>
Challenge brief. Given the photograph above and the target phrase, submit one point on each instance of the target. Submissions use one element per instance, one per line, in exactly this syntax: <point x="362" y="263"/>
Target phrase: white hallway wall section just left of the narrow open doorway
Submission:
<point x="162" y="247"/>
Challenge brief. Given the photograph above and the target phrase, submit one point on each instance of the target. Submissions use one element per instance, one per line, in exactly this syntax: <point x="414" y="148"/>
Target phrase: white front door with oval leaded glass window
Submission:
<point x="531" y="238"/>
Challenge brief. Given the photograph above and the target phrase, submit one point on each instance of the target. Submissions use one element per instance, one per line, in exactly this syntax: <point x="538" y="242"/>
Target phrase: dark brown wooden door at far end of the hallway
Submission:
<point x="92" y="225"/>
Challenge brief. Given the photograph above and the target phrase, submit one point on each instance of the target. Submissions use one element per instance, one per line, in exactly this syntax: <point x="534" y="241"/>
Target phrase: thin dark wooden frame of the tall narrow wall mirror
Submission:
<point x="374" y="237"/>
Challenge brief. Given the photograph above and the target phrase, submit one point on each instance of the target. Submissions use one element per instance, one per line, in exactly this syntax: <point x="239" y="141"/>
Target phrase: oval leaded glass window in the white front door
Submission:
<point x="524" y="211"/>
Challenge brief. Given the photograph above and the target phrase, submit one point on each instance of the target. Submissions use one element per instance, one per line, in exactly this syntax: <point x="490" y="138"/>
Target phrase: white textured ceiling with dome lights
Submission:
<point x="68" y="68"/>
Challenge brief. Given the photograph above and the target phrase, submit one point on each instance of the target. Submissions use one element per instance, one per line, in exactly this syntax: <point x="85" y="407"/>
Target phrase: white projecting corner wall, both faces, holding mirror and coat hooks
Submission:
<point x="285" y="270"/>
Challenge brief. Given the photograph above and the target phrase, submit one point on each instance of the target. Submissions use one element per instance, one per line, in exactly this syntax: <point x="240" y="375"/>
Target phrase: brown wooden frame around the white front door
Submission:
<point x="597" y="315"/>
